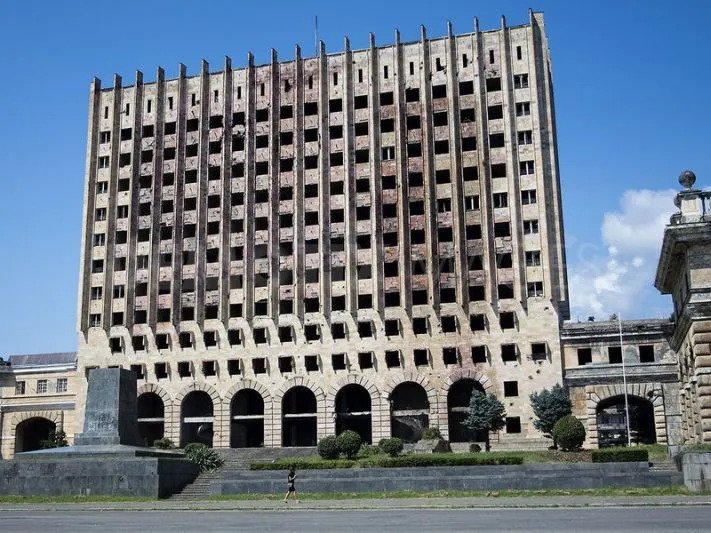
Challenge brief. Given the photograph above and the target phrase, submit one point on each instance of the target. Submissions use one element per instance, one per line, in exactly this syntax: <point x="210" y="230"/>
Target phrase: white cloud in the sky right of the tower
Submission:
<point x="618" y="278"/>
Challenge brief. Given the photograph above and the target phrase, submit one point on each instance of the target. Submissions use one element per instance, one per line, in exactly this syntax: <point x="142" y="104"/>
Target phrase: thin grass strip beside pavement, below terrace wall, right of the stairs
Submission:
<point x="679" y="490"/>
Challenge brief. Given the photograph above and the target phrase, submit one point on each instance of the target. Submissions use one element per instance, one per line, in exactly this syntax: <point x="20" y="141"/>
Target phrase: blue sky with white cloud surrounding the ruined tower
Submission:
<point x="631" y="84"/>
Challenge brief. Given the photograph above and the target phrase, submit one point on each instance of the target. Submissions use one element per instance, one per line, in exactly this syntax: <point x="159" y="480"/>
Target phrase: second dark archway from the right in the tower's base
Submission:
<point x="410" y="411"/>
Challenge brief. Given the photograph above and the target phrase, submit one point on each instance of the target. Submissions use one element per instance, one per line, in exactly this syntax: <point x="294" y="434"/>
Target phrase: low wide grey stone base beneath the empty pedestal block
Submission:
<point x="149" y="477"/>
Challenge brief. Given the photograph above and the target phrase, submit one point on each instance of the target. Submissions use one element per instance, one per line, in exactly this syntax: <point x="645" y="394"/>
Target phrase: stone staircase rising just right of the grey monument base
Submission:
<point x="235" y="465"/>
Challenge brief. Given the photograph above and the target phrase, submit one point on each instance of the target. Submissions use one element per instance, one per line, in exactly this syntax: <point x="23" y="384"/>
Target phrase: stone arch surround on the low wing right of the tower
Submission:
<point x="651" y="392"/>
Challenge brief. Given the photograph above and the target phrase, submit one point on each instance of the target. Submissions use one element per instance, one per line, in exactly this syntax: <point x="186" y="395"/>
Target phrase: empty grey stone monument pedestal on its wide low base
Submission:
<point x="105" y="458"/>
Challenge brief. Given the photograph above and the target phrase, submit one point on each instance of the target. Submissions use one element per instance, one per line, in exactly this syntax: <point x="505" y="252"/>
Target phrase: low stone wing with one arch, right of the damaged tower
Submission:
<point x="593" y="355"/>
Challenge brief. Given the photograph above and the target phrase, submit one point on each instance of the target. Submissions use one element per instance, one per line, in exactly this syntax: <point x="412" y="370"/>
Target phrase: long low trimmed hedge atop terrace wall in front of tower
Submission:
<point x="384" y="461"/>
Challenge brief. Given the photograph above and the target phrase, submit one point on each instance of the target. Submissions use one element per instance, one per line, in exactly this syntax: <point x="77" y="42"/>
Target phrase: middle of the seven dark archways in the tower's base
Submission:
<point x="298" y="422"/>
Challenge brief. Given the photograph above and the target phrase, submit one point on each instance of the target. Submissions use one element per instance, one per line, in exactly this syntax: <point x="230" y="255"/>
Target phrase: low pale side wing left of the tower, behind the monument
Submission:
<point x="37" y="396"/>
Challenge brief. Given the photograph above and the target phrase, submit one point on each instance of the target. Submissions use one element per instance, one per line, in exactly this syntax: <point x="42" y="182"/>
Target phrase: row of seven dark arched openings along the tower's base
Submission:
<point x="409" y="412"/>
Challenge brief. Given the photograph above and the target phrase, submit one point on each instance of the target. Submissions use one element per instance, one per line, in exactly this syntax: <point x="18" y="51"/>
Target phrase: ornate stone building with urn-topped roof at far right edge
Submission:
<point x="684" y="271"/>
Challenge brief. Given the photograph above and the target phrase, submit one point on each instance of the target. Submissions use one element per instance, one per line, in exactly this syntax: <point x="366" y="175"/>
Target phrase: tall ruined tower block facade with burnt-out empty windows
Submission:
<point x="353" y="240"/>
